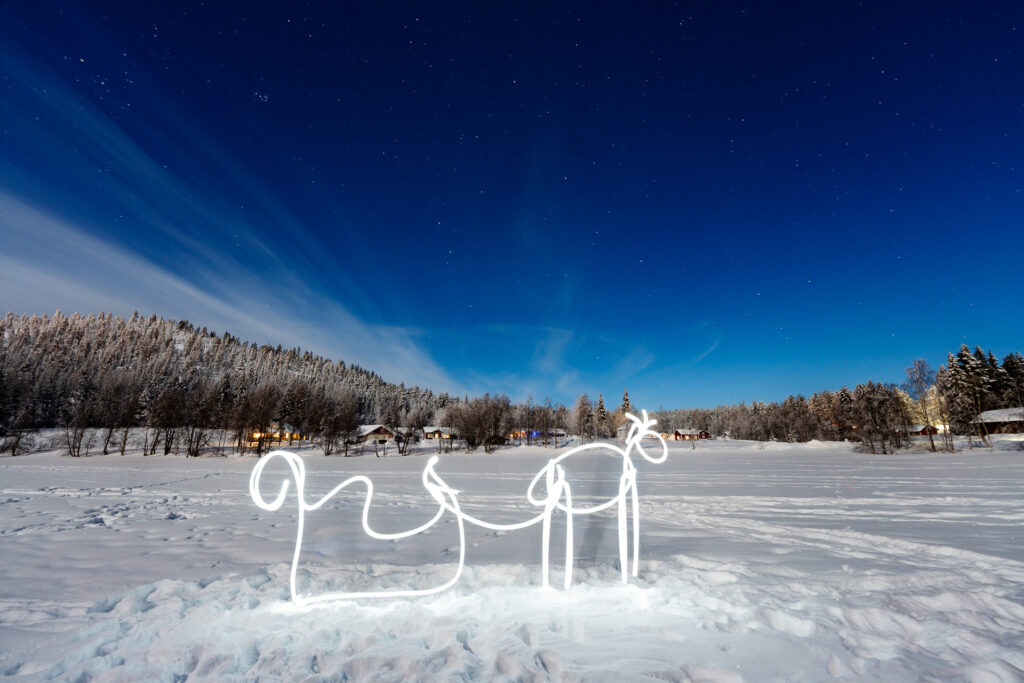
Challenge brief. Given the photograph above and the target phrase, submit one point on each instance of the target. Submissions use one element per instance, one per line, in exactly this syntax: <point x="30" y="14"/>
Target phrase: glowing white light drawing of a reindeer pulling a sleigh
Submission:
<point x="559" y="496"/>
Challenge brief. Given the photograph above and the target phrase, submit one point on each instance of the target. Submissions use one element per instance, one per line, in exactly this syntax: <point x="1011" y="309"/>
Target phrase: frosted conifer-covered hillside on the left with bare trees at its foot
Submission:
<point x="183" y="383"/>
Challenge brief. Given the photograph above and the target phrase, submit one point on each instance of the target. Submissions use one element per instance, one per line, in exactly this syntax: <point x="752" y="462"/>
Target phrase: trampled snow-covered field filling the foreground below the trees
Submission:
<point x="802" y="563"/>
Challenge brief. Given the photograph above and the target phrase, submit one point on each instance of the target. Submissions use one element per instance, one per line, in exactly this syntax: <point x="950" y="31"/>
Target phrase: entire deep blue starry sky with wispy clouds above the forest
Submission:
<point x="708" y="203"/>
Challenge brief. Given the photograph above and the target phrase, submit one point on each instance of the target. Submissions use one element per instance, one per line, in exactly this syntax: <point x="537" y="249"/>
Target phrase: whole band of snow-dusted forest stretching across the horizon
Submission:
<point x="184" y="385"/>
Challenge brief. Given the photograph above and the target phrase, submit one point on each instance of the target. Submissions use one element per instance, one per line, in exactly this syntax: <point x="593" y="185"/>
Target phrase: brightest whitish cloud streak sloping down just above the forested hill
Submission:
<point x="59" y="266"/>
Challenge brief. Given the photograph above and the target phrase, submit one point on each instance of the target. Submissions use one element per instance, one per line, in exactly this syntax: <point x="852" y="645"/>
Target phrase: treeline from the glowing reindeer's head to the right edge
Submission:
<point x="880" y="415"/>
